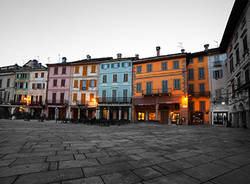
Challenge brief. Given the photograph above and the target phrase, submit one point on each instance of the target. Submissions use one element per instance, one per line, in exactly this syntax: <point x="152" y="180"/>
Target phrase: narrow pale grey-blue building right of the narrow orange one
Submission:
<point x="218" y="92"/>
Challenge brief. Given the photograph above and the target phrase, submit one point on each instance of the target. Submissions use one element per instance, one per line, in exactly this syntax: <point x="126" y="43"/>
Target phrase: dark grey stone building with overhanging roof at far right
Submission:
<point x="235" y="43"/>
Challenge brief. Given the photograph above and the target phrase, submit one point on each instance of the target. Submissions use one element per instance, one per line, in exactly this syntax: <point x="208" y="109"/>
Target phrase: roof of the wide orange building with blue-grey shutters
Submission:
<point x="160" y="58"/>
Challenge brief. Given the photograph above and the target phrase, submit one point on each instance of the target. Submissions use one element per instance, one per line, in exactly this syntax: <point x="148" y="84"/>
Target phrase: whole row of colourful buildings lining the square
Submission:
<point x="210" y="86"/>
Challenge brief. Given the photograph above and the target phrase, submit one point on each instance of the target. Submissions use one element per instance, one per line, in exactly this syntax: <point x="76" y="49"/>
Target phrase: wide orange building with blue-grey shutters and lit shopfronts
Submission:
<point x="160" y="88"/>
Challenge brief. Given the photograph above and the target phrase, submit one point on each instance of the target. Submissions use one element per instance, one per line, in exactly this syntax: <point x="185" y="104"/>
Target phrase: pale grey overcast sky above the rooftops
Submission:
<point x="48" y="30"/>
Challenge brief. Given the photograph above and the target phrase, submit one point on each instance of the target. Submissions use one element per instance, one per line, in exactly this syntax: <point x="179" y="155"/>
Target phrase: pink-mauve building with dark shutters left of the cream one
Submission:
<point x="58" y="91"/>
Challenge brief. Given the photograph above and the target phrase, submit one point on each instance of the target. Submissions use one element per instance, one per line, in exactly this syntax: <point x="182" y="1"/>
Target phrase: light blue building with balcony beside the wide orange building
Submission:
<point x="115" y="88"/>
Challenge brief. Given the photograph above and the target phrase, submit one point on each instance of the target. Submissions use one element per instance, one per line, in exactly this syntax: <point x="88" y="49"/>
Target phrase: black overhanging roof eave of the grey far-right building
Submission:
<point x="234" y="17"/>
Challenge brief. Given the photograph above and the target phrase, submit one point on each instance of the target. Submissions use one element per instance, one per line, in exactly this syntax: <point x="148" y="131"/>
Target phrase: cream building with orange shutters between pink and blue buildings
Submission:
<point x="84" y="87"/>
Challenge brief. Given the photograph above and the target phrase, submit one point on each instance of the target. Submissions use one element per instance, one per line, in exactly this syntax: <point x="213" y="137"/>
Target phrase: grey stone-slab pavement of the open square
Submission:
<point x="36" y="152"/>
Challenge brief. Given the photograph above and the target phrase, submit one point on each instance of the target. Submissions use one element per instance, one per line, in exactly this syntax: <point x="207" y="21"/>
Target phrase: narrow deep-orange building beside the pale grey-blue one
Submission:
<point x="198" y="87"/>
